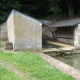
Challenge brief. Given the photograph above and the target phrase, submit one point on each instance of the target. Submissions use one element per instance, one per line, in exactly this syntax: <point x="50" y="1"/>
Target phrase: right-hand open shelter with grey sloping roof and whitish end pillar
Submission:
<point x="67" y="31"/>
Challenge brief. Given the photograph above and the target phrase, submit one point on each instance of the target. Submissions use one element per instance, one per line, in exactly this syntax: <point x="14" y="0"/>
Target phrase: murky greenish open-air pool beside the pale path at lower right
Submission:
<point x="72" y="60"/>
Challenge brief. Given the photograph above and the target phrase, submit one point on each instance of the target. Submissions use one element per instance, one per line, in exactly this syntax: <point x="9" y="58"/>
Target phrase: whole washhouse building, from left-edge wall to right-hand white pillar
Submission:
<point x="27" y="33"/>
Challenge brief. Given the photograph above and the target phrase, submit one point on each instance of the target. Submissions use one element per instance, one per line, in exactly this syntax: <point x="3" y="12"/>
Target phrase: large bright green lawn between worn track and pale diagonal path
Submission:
<point x="35" y="66"/>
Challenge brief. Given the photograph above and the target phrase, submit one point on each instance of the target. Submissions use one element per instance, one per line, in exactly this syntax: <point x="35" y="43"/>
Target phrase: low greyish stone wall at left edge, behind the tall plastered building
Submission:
<point x="3" y="31"/>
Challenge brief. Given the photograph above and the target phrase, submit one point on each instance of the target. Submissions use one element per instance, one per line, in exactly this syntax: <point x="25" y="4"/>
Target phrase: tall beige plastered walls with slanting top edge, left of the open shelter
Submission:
<point x="26" y="32"/>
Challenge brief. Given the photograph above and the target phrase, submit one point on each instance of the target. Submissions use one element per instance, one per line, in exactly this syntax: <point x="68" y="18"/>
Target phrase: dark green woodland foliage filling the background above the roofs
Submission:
<point x="40" y="8"/>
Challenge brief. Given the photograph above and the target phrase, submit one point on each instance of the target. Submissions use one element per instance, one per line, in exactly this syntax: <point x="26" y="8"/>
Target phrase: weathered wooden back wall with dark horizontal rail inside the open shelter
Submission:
<point x="65" y="35"/>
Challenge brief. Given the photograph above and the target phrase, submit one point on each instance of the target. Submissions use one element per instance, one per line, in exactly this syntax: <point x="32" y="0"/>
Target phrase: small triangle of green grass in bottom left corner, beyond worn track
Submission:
<point x="7" y="75"/>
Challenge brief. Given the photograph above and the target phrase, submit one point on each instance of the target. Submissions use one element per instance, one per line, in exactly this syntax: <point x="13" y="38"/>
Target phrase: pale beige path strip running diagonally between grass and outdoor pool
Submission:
<point x="62" y="66"/>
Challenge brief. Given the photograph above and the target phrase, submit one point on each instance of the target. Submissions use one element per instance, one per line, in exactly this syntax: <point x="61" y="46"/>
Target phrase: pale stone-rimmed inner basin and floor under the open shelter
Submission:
<point x="56" y="46"/>
